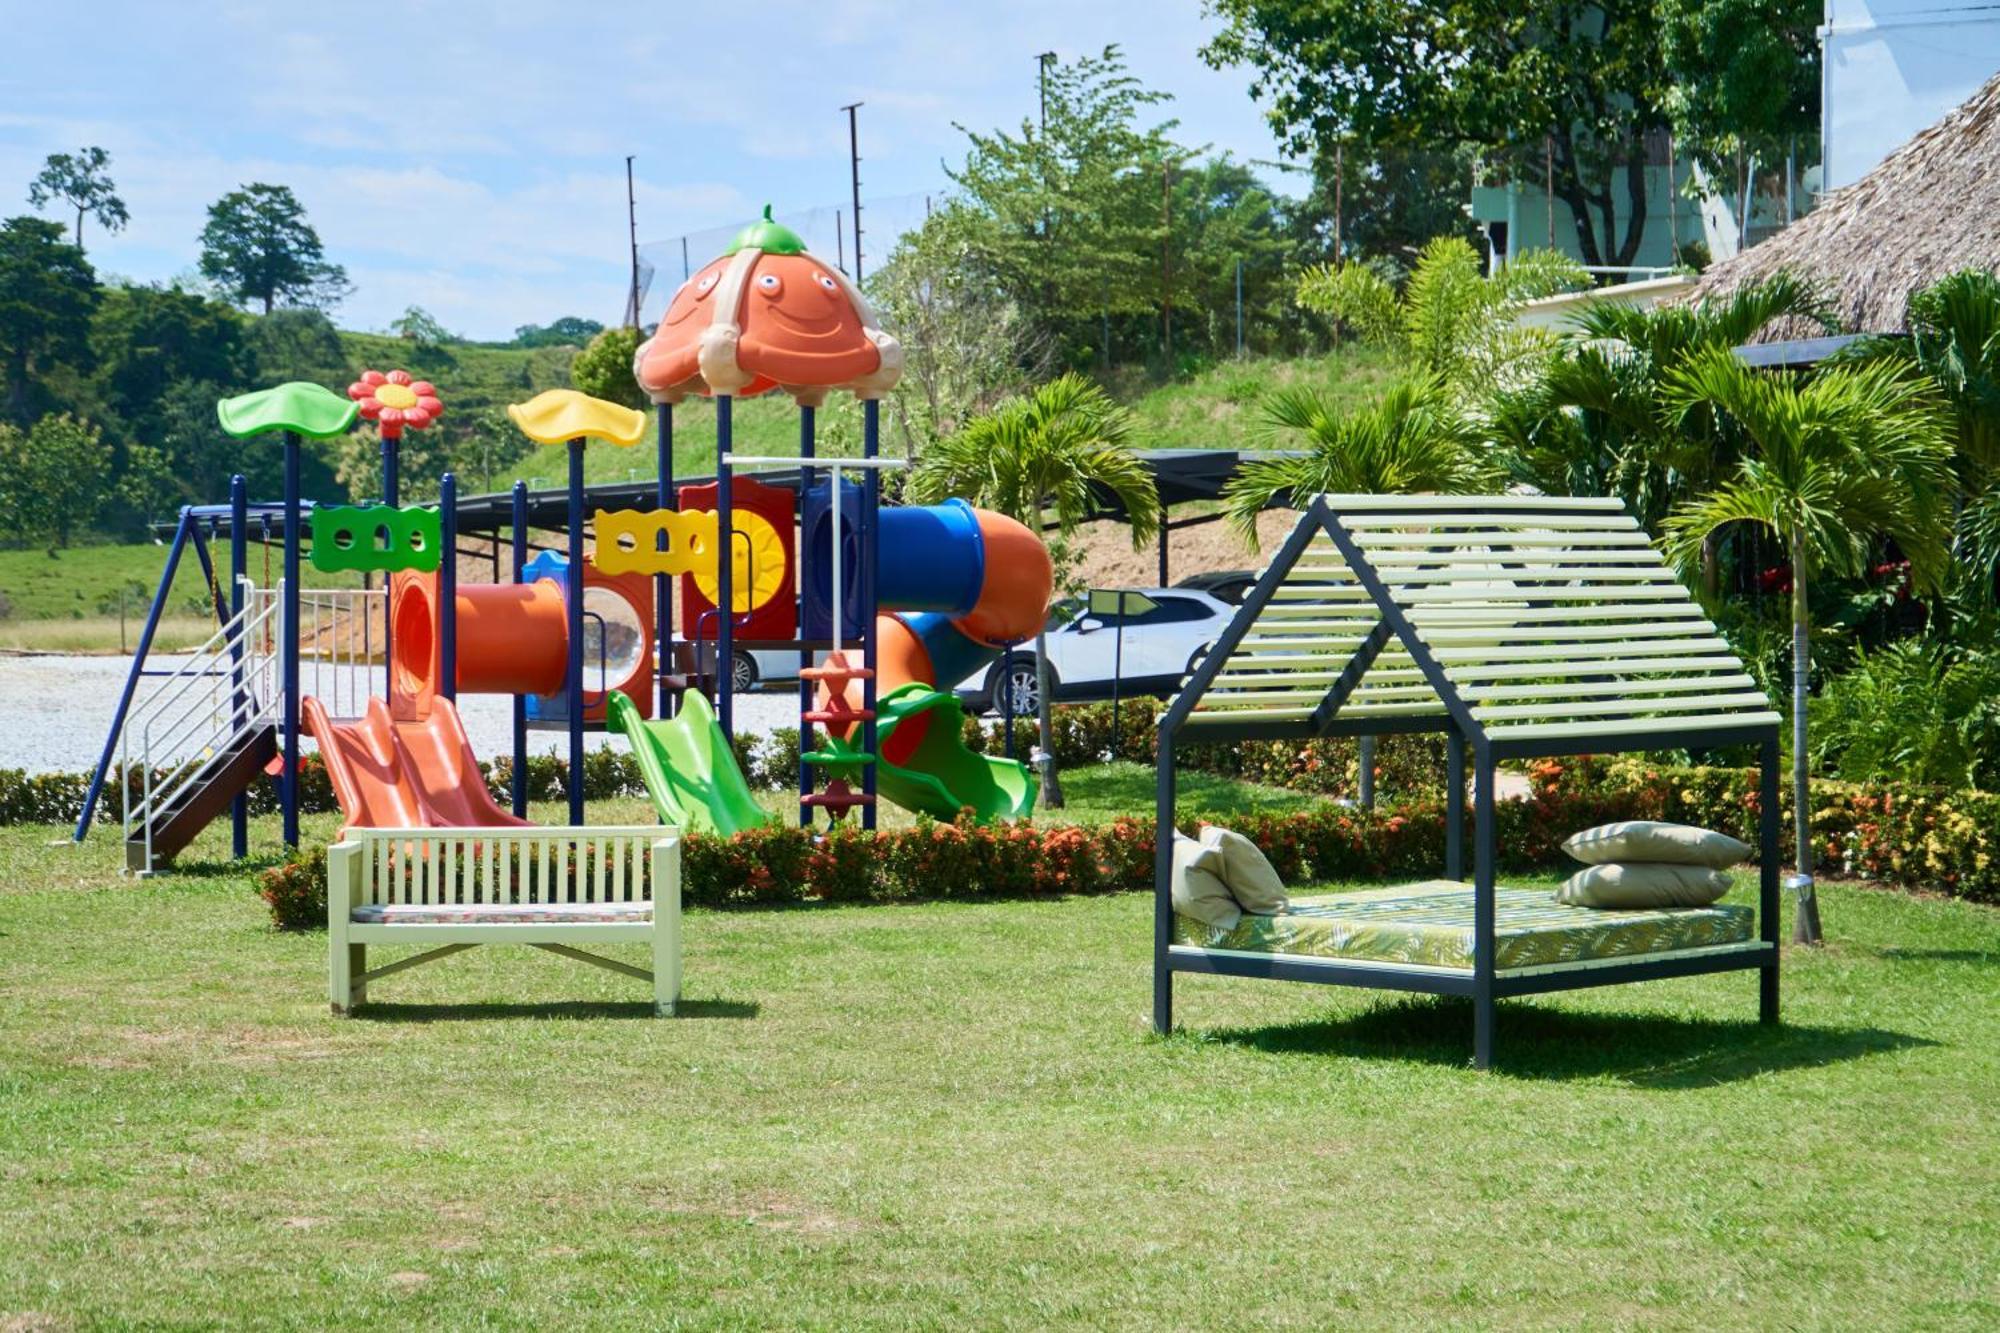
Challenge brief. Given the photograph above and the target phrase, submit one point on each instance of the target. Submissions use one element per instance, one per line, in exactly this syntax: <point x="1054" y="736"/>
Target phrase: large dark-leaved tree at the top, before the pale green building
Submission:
<point x="1579" y="81"/>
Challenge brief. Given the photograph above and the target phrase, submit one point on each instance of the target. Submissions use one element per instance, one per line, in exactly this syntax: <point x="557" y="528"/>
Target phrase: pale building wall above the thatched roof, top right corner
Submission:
<point x="1893" y="69"/>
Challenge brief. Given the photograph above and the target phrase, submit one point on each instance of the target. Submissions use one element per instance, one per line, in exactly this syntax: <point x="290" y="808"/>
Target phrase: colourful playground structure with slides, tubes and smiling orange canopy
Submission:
<point x="591" y="637"/>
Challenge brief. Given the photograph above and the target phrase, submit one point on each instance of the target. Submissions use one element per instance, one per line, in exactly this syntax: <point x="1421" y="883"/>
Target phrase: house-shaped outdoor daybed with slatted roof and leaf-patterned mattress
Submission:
<point x="1519" y="627"/>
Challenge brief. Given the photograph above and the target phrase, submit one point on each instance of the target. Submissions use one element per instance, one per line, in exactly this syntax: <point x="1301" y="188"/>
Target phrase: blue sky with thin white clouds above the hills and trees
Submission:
<point x="471" y="157"/>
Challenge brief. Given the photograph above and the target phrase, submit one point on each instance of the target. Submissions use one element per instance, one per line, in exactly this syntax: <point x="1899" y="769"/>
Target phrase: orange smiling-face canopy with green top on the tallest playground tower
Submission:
<point x="769" y="315"/>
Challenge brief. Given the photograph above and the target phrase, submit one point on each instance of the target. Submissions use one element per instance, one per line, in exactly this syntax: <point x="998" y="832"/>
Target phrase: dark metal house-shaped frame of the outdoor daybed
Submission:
<point x="1483" y="984"/>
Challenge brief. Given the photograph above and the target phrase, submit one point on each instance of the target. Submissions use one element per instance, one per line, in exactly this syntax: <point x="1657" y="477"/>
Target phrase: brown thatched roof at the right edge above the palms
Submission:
<point x="1927" y="211"/>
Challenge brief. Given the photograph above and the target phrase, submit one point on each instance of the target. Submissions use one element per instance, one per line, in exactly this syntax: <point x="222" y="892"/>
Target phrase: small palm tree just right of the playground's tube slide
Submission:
<point x="1039" y="459"/>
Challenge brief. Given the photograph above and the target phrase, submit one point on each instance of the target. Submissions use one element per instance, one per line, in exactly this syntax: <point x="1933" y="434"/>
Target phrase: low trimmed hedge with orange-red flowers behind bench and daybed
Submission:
<point x="1919" y="840"/>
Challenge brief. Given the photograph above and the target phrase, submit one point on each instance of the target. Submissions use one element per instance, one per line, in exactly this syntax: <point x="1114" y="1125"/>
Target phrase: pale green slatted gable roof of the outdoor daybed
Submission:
<point x="1533" y="623"/>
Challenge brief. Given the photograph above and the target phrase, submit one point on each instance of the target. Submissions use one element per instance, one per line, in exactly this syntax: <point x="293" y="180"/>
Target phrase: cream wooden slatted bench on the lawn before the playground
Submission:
<point x="455" y="890"/>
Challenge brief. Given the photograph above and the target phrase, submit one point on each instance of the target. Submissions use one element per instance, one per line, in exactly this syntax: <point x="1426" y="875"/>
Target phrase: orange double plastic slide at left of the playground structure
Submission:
<point x="405" y="776"/>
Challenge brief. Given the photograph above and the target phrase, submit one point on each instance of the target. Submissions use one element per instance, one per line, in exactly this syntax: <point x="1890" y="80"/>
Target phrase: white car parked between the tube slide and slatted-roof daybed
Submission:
<point x="1149" y="649"/>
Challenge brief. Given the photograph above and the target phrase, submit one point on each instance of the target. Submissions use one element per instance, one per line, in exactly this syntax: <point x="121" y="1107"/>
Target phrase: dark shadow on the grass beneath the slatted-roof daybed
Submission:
<point x="1535" y="1042"/>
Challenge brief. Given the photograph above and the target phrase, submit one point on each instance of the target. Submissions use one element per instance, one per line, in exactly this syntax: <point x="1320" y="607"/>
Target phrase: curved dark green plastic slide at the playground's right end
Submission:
<point x="937" y="776"/>
